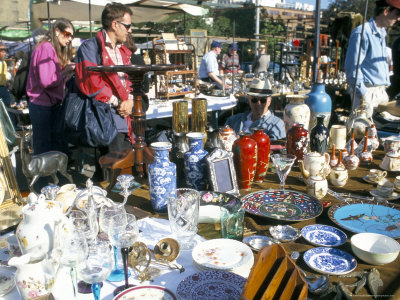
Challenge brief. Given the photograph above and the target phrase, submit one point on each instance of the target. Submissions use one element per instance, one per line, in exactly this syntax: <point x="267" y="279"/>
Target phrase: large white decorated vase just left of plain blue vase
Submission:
<point x="296" y="111"/>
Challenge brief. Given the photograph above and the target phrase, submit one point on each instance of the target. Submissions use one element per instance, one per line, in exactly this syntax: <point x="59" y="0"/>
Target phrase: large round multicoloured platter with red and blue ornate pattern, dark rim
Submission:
<point x="282" y="205"/>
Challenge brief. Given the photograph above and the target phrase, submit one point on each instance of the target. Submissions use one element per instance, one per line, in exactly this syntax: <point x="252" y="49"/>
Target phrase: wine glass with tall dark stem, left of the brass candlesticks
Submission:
<point x="123" y="233"/>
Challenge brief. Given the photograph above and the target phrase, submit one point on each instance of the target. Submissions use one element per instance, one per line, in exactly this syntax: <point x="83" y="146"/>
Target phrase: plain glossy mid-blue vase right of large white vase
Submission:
<point x="320" y="103"/>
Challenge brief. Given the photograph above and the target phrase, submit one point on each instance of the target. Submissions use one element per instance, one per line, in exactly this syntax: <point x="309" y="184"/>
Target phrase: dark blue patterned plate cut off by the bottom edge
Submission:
<point x="211" y="285"/>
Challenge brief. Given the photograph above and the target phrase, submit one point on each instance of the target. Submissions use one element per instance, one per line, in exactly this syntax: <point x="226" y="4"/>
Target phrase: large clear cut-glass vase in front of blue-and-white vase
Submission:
<point x="183" y="215"/>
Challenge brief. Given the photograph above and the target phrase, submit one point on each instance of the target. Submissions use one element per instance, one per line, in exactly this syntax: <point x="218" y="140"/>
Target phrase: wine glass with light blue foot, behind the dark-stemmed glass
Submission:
<point x="105" y="215"/>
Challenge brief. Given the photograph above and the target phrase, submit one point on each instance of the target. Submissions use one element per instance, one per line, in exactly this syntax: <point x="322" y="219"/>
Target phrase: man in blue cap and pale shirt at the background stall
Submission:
<point x="209" y="68"/>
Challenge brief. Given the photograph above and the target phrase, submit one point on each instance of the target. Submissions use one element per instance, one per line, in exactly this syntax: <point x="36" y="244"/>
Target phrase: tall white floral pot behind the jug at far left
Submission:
<point x="35" y="233"/>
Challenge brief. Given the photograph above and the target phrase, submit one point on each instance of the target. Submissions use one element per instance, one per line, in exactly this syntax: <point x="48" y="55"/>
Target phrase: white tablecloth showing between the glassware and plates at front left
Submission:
<point x="153" y="230"/>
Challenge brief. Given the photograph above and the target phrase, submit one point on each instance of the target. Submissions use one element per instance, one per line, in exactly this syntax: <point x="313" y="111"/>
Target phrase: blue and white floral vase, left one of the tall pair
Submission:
<point x="162" y="176"/>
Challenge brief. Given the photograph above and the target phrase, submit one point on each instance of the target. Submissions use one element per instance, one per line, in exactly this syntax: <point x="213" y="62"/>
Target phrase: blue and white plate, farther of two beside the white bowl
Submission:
<point x="324" y="235"/>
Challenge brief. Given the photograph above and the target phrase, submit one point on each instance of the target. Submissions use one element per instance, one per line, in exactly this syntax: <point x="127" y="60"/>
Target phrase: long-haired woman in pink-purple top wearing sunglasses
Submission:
<point x="49" y="69"/>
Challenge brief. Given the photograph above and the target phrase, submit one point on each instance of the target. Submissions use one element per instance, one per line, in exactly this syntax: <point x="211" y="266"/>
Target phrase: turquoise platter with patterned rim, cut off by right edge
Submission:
<point x="356" y="216"/>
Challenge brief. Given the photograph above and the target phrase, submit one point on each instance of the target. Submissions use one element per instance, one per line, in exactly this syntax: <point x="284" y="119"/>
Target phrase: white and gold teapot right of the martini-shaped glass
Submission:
<point x="316" y="164"/>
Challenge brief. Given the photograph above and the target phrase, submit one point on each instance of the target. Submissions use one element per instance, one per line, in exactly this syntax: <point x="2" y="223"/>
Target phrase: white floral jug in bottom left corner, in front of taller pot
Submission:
<point x="33" y="279"/>
